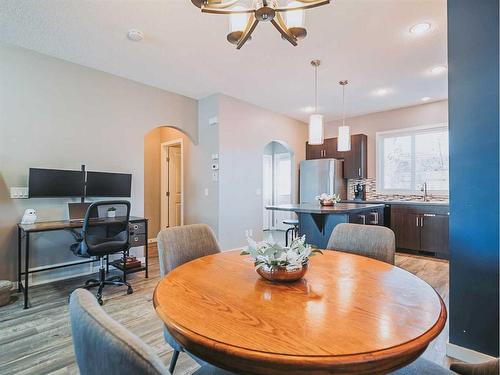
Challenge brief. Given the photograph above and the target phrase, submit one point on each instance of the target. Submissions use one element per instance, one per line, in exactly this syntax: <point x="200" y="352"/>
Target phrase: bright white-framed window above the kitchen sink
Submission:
<point x="408" y="158"/>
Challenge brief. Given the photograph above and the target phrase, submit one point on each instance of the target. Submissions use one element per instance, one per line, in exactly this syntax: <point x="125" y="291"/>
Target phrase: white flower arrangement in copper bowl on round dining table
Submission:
<point x="277" y="263"/>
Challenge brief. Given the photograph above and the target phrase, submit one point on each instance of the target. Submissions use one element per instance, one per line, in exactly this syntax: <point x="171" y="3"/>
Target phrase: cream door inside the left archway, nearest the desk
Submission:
<point x="174" y="186"/>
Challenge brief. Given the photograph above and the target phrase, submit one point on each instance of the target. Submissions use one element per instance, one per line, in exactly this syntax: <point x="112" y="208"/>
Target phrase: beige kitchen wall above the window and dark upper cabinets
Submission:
<point x="370" y="124"/>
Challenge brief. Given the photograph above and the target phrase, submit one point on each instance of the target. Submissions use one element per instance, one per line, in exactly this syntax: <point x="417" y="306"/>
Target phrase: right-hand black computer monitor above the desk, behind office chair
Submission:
<point x="104" y="184"/>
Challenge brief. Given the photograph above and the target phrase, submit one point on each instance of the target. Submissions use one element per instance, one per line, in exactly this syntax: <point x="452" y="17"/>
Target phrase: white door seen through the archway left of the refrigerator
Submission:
<point x="282" y="187"/>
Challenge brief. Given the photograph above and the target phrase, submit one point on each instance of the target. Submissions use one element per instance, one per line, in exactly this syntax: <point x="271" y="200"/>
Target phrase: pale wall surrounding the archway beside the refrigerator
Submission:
<point x="244" y="132"/>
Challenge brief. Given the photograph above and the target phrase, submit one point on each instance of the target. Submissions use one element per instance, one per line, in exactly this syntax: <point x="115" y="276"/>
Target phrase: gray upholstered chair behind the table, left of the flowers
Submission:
<point x="179" y="245"/>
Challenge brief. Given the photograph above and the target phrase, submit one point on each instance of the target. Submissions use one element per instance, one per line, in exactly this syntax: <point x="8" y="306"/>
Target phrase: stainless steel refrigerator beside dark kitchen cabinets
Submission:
<point x="321" y="176"/>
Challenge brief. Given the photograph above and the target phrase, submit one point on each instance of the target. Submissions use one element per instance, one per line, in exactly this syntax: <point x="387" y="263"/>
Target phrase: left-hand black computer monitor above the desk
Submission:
<point x="53" y="183"/>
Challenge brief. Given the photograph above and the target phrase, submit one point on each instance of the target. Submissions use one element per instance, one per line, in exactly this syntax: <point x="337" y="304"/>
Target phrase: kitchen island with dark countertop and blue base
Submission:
<point x="317" y="222"/>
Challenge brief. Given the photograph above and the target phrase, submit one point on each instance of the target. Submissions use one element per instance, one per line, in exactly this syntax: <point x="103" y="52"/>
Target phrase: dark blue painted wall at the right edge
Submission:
<point x="473" y="49"/>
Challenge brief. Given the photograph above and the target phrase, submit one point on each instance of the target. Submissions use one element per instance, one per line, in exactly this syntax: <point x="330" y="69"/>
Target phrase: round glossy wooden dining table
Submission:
<point x="348" y="315"/>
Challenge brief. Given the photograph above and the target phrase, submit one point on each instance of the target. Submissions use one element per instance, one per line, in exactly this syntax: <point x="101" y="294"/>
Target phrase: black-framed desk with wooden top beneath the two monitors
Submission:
<point x="138" y="237"/>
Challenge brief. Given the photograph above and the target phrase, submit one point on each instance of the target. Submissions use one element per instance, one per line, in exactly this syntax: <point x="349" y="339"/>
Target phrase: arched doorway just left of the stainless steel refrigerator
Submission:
<point x="277" y="183"/>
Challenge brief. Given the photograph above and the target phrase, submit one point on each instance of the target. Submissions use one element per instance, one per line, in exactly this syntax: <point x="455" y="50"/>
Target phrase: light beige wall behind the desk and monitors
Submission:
<point x="60" y="115"/>
